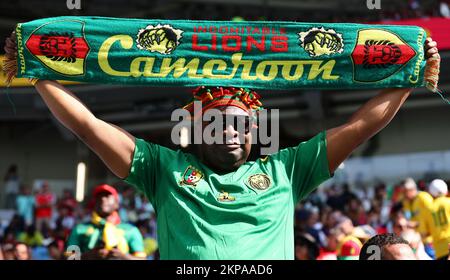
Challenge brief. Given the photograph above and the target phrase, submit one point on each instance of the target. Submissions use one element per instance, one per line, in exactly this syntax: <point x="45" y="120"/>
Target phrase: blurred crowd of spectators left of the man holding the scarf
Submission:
<point x="42" y="224"/>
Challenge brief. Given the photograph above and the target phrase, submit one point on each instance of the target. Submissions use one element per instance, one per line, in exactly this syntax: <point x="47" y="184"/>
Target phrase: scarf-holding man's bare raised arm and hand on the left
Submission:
<point x="111" y="143"/>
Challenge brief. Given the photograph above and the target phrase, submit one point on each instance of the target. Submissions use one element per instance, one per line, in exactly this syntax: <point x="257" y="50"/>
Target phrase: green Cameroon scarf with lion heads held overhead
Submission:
<point x="271" y="55"/>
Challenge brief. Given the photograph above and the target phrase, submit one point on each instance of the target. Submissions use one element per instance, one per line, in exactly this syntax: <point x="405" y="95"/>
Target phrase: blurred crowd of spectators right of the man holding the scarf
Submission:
<point x="333" y="224"/>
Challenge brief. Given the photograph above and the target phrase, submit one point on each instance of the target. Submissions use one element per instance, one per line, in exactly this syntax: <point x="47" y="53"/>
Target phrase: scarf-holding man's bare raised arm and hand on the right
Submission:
<point x="368" y="120"/>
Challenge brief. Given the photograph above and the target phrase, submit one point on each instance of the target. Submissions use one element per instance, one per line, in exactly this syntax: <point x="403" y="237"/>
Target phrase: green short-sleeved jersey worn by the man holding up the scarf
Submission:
<point x="244" y="214"/>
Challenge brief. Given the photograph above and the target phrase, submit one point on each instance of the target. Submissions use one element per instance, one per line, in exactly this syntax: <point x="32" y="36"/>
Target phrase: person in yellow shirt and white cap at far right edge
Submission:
<point x="438" y="218"/>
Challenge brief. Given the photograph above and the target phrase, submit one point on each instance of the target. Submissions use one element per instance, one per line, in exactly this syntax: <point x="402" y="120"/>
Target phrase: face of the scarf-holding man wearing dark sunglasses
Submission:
<point x="233" y="153"/>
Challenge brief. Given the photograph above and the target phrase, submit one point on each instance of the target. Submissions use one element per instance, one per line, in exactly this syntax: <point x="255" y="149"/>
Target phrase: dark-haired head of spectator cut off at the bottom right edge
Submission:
<point x="387" y="247"/>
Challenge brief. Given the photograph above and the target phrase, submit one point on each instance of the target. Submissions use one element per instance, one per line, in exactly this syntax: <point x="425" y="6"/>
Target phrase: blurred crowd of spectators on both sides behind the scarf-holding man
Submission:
<point x="332" y="224"/>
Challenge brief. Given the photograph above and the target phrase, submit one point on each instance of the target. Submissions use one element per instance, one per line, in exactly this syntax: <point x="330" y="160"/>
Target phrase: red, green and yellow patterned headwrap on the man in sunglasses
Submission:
<point x="213" y="97"/>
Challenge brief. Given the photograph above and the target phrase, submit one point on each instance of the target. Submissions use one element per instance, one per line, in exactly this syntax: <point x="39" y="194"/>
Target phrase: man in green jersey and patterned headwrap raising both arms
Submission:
<point x="214" y="203"/>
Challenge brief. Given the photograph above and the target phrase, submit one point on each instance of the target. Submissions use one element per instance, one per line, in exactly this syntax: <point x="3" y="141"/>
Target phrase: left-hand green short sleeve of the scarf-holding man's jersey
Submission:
<point x="143" y="168"/>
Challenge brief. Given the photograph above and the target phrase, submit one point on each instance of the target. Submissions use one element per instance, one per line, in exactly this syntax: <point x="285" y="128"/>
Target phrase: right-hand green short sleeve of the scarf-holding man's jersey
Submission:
<point x="306" y="165"/>
